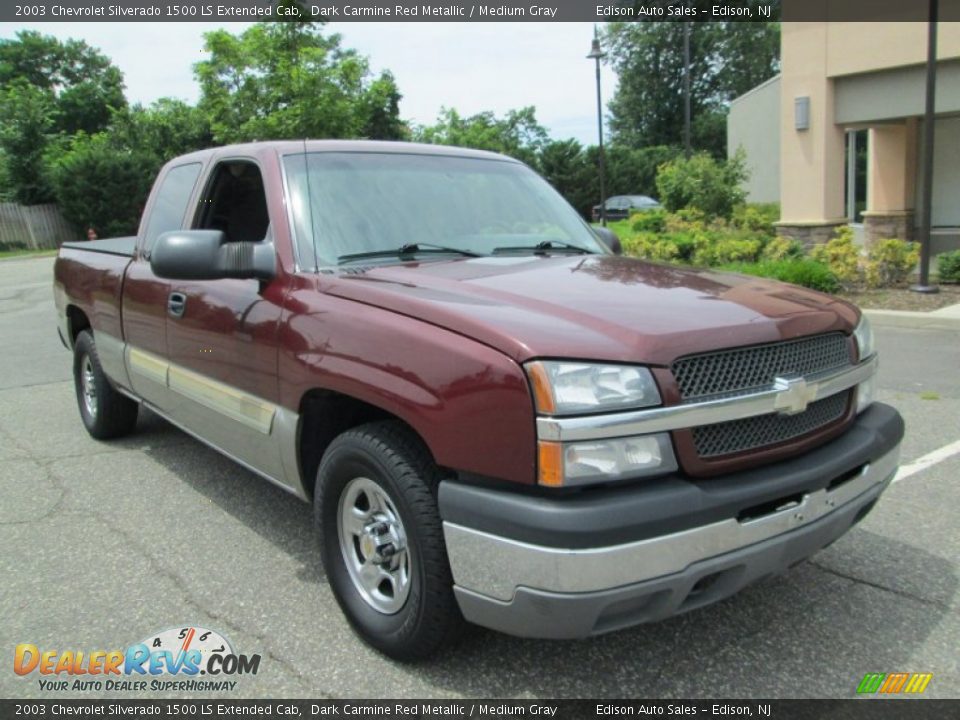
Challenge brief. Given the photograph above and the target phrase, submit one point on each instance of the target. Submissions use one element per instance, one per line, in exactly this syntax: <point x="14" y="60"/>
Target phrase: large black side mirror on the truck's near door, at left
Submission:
<point x="206" y="255"/>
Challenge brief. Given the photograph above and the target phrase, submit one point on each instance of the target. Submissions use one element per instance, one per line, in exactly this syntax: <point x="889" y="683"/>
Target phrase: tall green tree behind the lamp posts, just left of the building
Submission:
<point x="726" y="60"/>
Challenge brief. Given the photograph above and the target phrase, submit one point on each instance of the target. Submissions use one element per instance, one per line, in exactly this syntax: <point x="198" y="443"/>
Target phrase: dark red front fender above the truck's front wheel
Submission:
<point x="470" y="403"/>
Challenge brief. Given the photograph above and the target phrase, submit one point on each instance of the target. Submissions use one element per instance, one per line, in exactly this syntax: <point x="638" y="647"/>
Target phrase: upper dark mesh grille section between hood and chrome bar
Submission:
<point x="742" y="369"/>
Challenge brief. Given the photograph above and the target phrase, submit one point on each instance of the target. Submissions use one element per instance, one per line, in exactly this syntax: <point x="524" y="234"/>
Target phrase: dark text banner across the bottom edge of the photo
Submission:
<point x="881" y="708"/>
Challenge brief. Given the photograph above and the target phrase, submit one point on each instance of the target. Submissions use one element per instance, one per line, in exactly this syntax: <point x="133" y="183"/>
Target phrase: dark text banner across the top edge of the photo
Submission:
<point x="471" y="11"/>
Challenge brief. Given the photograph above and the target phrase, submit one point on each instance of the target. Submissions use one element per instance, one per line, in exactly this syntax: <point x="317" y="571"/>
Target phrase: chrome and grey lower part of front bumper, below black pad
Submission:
<point x="538" y="591"/>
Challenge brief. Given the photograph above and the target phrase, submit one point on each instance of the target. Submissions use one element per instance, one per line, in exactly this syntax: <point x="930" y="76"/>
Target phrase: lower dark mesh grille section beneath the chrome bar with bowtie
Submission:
<point x="738" y="435"/>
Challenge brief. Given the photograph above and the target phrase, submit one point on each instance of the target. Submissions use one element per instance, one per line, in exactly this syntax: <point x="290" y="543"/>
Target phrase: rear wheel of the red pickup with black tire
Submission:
<point x="110" y="414"/>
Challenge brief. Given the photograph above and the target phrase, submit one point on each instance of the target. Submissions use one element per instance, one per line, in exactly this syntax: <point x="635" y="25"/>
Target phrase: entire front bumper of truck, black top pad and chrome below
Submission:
<point x="606" y="559"/>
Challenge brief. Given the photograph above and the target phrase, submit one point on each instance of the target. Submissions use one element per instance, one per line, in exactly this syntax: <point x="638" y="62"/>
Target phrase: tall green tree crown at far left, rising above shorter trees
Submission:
<point x="84" y="85"/>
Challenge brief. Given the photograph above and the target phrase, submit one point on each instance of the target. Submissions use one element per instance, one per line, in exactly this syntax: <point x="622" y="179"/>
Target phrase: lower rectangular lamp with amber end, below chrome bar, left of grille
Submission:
<point x="597" y="461"/>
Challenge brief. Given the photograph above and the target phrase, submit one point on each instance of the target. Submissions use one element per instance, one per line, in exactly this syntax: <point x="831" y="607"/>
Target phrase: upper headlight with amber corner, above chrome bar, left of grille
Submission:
<point x="565" y="388"/>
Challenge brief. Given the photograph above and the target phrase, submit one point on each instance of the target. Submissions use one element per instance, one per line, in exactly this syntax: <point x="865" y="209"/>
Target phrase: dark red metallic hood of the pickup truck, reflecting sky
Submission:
<point x="594" y="307"/>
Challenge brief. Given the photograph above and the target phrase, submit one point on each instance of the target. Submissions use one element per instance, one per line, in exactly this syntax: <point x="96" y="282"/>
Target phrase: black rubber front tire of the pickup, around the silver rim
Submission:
<point x="395" y="460"/>
